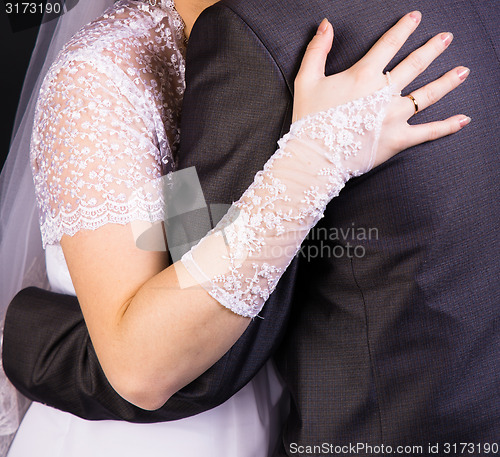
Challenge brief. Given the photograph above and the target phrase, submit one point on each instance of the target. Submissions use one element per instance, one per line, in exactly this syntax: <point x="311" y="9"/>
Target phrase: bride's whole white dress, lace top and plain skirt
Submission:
<point x="121" y="80"/>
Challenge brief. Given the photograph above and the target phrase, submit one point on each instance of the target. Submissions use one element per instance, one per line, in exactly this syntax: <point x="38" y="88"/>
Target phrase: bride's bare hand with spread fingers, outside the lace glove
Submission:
<point x="315" y="92"/>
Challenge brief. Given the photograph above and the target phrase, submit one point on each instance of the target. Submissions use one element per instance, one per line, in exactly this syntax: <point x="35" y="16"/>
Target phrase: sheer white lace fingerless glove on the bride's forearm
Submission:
<point x="242" y="259"/>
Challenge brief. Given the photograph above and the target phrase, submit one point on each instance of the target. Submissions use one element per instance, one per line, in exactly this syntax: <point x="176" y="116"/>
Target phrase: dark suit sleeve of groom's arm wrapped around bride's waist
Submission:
<point x="233" y="113"/>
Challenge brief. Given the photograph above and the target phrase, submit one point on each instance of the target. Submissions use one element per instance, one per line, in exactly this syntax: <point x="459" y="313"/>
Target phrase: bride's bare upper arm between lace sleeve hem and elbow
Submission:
<point x="107" y="269"/>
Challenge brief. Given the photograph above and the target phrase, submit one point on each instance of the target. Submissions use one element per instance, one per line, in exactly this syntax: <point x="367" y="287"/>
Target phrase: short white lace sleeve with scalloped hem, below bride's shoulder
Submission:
<point x="92" y="154"/>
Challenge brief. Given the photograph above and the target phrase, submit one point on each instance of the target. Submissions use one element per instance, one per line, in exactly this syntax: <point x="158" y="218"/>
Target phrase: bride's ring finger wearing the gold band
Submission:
<point x="436" y="90"/>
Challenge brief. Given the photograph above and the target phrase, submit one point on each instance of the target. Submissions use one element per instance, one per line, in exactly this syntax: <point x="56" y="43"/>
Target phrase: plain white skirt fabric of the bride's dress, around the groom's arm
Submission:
<point x="246" y="425"/>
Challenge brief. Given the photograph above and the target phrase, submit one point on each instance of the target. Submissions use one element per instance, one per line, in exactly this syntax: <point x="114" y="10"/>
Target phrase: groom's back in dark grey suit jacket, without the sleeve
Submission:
<point x="398" y="341"/>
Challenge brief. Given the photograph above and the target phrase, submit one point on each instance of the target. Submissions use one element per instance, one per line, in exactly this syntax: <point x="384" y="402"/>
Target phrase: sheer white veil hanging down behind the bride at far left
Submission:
<point x="22" y="260"/>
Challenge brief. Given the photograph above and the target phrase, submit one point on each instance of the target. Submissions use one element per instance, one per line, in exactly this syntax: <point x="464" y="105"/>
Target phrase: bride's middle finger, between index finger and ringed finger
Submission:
<point x="404" y="73"/>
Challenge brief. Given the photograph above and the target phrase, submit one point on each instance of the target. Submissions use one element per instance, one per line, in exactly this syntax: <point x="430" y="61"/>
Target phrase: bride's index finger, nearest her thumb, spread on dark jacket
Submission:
<point x="391" y="41"/>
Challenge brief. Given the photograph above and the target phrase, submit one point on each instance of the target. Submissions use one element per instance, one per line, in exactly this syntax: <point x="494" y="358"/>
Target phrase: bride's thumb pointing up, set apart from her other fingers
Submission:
<point x="314" y="61"/>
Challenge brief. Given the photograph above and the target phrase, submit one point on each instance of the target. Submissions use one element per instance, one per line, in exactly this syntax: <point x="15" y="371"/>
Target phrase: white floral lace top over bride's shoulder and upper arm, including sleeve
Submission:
<point x="106" y="122"/>
